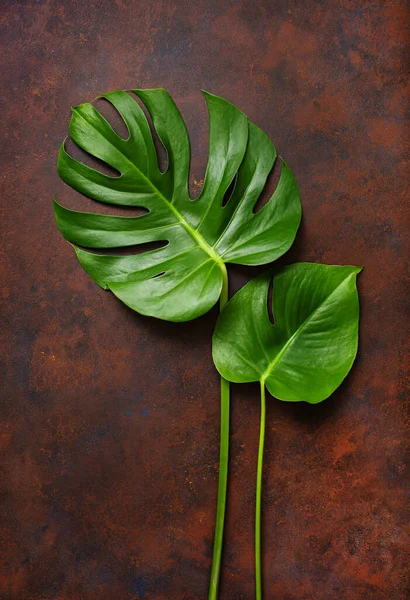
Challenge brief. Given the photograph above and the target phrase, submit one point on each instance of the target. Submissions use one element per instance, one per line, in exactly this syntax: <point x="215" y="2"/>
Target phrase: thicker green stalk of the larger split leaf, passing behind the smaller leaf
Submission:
<point x="223" y="468"/>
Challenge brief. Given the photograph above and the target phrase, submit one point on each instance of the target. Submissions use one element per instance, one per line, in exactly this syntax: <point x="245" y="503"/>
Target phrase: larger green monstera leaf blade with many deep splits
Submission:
<point x="183" y="279"/>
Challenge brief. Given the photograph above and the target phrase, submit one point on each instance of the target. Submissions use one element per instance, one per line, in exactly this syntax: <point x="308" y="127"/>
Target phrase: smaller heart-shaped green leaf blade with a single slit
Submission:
<point x="310" y="348"/>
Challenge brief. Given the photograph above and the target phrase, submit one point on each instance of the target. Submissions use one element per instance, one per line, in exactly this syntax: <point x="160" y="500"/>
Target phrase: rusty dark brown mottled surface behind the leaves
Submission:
<point x="109" y="421"/>
